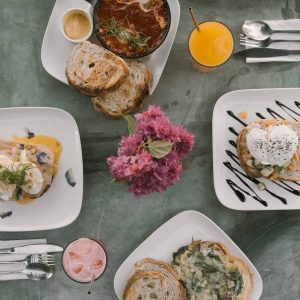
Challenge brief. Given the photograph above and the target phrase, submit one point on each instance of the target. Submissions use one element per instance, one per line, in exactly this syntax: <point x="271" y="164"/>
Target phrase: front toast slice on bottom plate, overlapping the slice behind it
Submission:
<point x="146" y="285"/>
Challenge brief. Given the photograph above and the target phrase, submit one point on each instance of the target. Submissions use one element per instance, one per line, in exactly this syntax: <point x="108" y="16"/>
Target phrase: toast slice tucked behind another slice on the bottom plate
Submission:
<point x="175" y="290"/>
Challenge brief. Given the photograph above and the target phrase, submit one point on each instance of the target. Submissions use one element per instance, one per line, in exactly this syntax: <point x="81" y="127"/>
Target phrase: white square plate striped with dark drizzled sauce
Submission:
<point x="231" y="186"/>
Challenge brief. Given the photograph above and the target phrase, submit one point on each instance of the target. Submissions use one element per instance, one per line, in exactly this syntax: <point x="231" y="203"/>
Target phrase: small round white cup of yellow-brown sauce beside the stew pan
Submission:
<point x="74" y="24"/>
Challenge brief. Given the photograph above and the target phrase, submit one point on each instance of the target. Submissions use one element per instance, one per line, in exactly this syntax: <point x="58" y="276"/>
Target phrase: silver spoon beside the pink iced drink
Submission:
<point x="34" y="271"/>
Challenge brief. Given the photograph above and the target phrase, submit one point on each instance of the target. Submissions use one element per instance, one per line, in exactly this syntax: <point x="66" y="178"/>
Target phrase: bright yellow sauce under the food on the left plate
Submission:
<point x="45" y="140"/>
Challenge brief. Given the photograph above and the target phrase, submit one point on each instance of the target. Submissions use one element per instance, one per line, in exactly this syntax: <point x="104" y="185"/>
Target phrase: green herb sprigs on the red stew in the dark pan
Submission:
<point x="133" y="39"/>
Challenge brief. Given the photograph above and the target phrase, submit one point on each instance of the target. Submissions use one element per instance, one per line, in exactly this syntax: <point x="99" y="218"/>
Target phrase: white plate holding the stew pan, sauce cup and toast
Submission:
<point x="56" y="47"/>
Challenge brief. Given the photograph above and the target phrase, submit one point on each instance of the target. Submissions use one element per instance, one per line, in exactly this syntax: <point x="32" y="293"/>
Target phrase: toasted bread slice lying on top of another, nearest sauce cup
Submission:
<point x="91" y="69"/>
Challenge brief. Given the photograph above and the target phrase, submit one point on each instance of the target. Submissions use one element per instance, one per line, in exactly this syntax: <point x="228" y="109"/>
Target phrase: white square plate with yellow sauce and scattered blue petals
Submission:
<point x="61" y="204"/>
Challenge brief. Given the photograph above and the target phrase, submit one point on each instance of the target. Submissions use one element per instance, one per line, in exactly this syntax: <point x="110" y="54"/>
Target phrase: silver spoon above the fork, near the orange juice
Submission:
<point x="258" y="30"/>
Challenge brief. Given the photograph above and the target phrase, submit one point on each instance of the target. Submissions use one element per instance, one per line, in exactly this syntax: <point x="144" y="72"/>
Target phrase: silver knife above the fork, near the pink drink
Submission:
<point x="33" y="249"/>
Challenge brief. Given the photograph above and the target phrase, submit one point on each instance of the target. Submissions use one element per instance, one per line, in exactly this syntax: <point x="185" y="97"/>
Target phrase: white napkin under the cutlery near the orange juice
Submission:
<point x="290" y="45"/>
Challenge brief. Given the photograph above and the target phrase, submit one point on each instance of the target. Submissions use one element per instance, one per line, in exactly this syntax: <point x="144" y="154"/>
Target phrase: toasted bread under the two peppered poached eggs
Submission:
<point x="246" y="160"/>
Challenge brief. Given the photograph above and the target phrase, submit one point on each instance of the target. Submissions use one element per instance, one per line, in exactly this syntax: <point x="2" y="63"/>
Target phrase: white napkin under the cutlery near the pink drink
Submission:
<point x="16" y="243"/>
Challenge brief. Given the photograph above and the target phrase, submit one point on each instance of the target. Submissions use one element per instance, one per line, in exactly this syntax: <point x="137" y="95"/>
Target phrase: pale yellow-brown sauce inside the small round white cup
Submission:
<point x="76" y="25"/>
